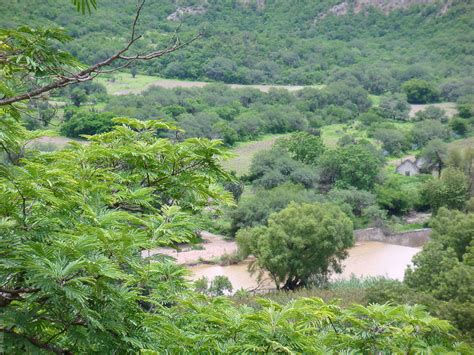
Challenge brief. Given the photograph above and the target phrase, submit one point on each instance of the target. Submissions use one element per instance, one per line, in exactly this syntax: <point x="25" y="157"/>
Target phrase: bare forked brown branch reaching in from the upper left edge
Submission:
<point x="96" y="69"/>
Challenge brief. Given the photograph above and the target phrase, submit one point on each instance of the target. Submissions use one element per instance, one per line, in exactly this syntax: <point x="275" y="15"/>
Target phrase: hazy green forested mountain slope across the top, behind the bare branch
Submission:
<point x="288" y="42"/>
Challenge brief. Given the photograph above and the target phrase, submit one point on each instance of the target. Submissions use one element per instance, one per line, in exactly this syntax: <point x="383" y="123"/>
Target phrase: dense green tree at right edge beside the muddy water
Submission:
<point x="445" y="267"/>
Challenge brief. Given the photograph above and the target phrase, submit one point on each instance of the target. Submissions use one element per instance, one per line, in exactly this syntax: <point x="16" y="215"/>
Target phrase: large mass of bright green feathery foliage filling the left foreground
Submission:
<point x="75" y="223"/>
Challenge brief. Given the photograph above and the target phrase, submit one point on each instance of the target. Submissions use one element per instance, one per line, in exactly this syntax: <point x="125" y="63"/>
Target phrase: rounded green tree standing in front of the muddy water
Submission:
<point x="301" y="243"/>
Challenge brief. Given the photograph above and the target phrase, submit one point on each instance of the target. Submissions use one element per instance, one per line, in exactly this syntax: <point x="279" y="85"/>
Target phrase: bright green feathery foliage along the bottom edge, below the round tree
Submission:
<point x="307" y="325"/>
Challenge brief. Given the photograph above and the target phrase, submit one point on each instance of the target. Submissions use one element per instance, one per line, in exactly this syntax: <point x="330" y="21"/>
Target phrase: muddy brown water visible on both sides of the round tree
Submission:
<point x="365" y="259"/>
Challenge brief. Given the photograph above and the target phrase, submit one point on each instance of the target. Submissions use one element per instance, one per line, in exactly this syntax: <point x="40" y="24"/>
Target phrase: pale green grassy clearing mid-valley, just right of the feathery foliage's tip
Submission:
<point x="244" y="153"/>
